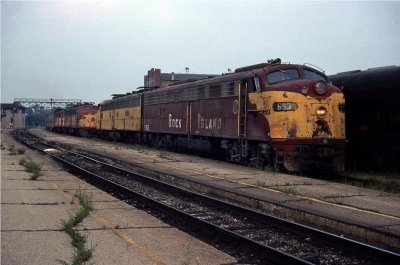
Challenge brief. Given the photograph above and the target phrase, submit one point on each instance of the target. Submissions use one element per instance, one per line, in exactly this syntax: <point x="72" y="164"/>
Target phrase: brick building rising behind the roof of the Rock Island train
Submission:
<point x="155" y="78"/>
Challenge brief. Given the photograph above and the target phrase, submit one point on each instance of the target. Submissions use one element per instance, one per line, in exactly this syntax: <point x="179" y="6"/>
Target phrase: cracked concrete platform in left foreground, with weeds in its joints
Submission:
<point x="32" y="212"/>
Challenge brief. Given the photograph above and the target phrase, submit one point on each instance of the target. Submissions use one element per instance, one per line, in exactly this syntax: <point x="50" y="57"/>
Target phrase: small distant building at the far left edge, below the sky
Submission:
<point x="12" y="116"/>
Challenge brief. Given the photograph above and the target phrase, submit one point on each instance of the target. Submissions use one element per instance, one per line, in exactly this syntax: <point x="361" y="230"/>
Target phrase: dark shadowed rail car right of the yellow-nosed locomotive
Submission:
<point x="372" y="117"/>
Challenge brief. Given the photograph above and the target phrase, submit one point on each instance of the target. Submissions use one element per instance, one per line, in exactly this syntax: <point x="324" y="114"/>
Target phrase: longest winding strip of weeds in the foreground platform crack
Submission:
<point x="82" y="254"/>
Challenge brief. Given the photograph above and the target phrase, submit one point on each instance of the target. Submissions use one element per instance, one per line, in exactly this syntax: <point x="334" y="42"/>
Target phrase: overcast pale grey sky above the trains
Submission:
<point x="91" y="49"/>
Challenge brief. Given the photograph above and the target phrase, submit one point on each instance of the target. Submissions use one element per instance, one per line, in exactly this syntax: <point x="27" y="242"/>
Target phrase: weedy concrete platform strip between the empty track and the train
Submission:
<point x="362" y="214"/>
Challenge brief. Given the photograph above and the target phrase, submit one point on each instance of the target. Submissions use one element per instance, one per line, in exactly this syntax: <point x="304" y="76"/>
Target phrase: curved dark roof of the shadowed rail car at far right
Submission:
<point x="379" y="78"/>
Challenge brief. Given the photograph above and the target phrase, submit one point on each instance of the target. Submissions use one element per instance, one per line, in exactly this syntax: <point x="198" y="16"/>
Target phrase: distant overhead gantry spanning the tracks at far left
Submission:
<point x="46" y="103"/>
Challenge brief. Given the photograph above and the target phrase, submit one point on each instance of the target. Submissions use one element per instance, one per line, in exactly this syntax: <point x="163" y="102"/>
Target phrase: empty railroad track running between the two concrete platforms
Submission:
<point x="264" y="236"/>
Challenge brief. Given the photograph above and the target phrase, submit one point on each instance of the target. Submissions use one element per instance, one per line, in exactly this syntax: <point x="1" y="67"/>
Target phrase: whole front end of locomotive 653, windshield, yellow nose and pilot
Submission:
<point x="306" y="118"/>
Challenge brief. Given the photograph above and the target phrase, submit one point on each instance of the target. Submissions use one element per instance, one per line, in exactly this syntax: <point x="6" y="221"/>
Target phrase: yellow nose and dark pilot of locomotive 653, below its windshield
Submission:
<point x="300" y="137"/>
